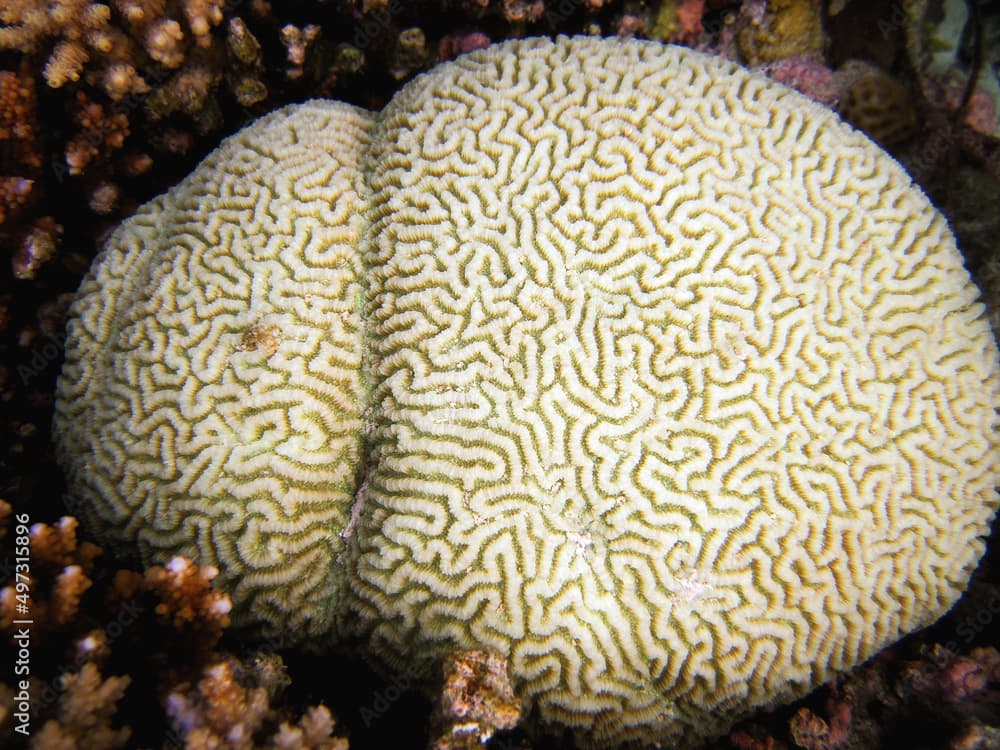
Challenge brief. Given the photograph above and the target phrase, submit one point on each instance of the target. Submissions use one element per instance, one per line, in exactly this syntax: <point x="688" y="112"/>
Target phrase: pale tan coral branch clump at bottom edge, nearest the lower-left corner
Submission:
<point x="84" y="714"/>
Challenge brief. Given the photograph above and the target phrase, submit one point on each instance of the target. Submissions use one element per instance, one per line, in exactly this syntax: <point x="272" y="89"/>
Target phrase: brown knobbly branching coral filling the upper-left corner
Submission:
<point x="115" y="54"/>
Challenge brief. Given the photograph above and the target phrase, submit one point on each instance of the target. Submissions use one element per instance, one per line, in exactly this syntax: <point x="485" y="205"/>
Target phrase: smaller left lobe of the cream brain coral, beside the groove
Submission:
<point x="212" y="400"/>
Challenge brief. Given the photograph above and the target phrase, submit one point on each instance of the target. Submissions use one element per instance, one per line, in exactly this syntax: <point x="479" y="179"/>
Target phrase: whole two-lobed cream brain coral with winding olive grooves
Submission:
<point x="644" y="371"/>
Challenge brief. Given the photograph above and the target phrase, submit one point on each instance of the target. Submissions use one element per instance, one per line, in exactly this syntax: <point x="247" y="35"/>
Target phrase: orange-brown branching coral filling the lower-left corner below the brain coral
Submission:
<point x="229" y="703"/>
